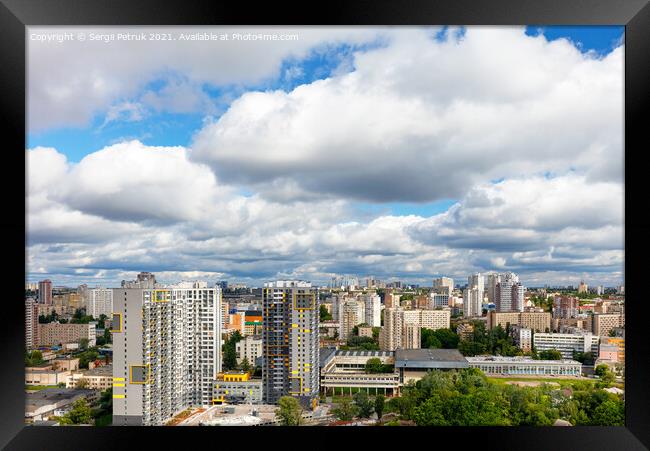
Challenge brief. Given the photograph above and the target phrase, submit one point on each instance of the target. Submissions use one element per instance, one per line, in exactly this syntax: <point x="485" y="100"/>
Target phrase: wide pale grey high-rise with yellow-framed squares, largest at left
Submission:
<point x="166" y="350"/>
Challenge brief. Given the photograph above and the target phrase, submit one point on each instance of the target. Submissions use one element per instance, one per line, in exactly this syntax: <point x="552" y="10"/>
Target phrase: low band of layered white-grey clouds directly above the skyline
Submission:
<point x="539" y="224"/>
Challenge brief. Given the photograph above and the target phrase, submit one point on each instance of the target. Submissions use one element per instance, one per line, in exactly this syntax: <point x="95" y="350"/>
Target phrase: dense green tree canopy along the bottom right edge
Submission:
<point x="468" y="398"/>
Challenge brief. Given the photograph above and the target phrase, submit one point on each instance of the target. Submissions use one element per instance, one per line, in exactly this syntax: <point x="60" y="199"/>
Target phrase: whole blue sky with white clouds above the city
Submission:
<point x="402" y="153"/>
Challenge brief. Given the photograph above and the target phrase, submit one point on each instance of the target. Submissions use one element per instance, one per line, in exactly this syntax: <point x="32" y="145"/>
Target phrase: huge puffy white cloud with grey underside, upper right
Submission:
<point x="420" y="120"/>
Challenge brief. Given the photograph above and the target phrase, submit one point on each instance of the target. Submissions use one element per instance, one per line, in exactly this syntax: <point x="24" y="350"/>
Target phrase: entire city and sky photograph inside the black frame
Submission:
<point x="325" y="226"/>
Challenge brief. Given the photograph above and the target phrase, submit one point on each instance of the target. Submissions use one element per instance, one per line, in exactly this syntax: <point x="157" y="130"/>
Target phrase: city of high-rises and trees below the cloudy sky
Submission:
<point x="358" y="351"/>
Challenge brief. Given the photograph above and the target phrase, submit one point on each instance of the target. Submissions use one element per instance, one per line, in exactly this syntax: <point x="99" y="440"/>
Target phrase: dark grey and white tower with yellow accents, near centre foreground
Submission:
<point x="290" y="342"/>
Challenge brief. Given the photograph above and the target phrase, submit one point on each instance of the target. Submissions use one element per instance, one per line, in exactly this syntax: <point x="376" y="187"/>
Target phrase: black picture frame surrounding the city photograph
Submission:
<point x="15" y="15"/>
